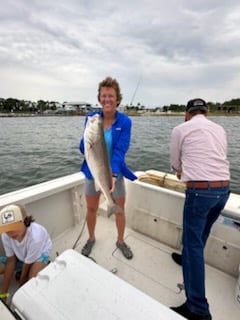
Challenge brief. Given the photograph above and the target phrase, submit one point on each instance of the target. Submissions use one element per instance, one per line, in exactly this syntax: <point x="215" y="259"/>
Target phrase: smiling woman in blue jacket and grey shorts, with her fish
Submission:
<point x="105" y="141"/>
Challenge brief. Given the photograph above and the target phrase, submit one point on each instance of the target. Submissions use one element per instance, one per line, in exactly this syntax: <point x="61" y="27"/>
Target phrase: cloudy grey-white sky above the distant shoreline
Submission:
<point x="161" y="52"/>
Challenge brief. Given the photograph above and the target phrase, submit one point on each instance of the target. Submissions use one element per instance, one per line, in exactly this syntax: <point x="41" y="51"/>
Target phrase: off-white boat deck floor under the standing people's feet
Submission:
<point x="152" y="269"/>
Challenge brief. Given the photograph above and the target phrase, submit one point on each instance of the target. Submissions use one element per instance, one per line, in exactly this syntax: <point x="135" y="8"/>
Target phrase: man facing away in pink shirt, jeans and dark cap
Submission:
<point x="198" y="154"/>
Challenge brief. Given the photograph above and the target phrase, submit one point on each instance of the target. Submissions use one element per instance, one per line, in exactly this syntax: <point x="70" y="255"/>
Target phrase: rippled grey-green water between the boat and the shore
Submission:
<point x="37" y="149"/>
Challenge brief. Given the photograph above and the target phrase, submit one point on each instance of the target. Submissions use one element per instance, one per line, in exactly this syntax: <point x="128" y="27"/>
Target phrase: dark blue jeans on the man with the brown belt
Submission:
<point x="202" y="207"/>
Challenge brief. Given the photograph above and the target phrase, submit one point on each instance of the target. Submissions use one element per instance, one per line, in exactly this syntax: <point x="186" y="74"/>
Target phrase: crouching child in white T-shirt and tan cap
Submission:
<point x="25" y="242"/>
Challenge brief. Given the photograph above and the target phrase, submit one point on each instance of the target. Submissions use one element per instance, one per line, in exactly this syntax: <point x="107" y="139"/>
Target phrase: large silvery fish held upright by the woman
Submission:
<point x="95" y="152"/>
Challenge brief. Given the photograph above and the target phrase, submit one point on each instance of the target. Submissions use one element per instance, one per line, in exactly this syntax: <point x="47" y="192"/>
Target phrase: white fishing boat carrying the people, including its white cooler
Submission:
<point x="107" y="285"/>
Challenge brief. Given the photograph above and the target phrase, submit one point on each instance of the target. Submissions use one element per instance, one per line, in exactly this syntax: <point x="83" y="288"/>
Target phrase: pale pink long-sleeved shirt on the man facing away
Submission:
<point x="198" y="150"/>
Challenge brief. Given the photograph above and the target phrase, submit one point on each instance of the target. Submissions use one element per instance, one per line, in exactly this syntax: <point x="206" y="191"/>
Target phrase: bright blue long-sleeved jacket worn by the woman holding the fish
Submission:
<point x="121" y="134"/>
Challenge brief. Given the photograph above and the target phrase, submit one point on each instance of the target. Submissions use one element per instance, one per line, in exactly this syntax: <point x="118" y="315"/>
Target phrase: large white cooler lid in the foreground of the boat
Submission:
<point x="75" y="287"/>
